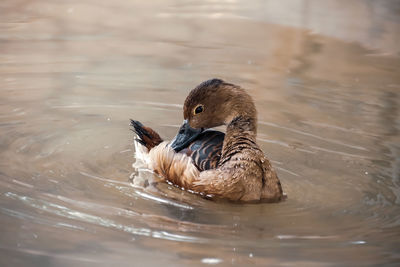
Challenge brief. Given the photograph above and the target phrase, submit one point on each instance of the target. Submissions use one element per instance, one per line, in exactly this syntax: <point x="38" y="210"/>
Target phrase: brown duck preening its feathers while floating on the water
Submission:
<point x="230" y="165"/>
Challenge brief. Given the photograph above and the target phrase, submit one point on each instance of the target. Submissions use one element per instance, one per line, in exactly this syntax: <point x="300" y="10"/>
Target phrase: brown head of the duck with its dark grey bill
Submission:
<point x="210" y="104"/>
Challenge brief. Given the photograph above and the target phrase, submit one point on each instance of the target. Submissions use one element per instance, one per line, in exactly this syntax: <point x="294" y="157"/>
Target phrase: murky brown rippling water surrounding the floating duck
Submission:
<point x="325" y="78"/>
